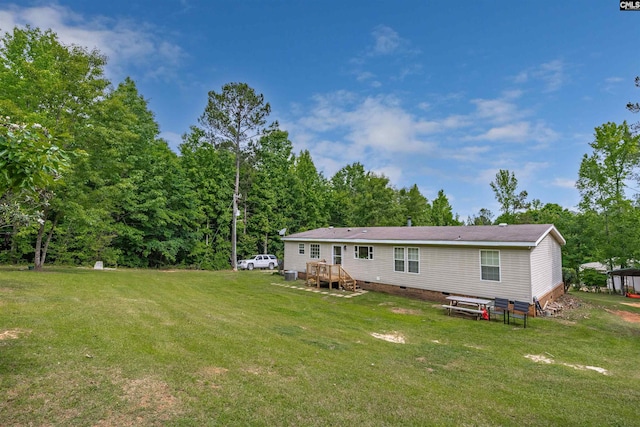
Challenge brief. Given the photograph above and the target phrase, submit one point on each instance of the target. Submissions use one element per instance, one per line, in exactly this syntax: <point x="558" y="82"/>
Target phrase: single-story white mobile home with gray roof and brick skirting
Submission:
<point x="518" y="262"/>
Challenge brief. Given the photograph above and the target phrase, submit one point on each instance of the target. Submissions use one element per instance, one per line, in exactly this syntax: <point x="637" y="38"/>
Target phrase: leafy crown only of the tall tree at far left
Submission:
<point x="46" y="82"/>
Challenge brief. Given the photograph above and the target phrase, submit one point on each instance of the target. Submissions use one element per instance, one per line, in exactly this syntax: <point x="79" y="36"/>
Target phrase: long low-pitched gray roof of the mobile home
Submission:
<point x="526" y="235"/>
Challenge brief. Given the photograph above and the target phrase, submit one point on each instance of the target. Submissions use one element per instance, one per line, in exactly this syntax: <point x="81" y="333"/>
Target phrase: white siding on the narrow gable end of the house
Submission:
<point x="546" y="266"/>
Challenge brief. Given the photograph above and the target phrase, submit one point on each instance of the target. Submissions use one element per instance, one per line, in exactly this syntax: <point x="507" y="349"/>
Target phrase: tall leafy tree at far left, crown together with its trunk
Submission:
<point x="56" y="86"/>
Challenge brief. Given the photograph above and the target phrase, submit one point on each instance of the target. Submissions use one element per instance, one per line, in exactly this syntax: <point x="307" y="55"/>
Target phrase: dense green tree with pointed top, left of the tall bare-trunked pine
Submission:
<point x="130" y="186"/>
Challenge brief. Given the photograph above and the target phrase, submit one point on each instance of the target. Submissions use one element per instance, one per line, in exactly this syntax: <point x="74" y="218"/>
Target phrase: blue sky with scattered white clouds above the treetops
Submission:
<point x="442" y="94"/>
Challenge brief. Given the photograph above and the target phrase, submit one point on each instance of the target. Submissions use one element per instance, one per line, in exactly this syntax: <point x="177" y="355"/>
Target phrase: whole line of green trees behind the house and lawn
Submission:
<point x="85" y="176"/>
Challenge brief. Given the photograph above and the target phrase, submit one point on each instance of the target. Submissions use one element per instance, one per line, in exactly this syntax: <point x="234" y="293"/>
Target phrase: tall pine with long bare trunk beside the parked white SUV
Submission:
<point x="232" y="119"/>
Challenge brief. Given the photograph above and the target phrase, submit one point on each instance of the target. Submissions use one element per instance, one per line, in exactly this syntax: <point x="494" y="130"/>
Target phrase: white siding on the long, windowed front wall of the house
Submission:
<point x="442" y="268"/>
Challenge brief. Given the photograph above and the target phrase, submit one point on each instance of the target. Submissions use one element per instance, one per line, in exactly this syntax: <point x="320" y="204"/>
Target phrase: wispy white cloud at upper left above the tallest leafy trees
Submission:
<point x="126" y="43"/>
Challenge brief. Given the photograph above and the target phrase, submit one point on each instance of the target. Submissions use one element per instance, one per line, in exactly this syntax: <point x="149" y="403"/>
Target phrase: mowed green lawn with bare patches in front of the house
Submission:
<point x="145" y="348"/>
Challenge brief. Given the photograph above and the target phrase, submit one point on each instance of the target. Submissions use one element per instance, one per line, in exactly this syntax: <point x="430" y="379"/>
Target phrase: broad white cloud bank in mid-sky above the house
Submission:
<point x="343" y="127"/>
